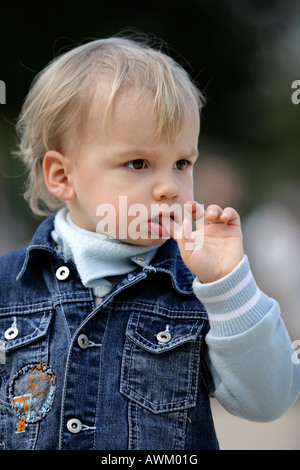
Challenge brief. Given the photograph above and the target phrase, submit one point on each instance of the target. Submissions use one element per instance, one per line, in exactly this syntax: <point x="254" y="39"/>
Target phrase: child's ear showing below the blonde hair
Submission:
<point x="57" y="176"/>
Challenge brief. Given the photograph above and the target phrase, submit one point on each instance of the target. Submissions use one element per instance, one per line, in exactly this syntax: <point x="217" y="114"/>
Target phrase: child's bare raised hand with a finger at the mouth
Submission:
<point x="215" y="247"/>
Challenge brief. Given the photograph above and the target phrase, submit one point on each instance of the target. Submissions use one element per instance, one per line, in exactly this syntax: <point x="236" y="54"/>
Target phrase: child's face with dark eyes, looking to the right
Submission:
<point x="123" y="176"/>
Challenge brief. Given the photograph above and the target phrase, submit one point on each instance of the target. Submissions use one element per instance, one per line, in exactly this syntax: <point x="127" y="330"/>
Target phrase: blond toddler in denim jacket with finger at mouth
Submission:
<point x="118" y="320"/>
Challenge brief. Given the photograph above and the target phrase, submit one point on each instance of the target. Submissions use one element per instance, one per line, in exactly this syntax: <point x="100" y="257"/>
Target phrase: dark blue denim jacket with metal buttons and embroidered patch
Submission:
<point x="128" y="373"/>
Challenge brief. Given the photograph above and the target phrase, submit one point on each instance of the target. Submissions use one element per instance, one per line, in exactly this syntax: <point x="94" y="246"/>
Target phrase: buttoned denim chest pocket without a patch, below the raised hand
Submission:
<point x="161" y="361"/>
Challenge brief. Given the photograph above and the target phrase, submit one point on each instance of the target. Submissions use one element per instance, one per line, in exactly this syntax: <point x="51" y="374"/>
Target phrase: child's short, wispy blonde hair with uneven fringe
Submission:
<point x="63" y="92"/>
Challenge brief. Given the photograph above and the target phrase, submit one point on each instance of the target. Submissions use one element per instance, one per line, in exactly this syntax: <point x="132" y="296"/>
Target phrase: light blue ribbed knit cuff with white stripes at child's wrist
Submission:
<point x="234" y="303"/>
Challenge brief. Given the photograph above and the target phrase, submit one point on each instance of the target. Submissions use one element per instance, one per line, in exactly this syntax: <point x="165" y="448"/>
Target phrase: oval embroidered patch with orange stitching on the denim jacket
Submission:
<point x="32" y="393"/>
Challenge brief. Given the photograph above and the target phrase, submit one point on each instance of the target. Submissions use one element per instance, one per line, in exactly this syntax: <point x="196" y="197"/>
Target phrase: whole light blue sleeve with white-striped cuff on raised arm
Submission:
<point x="254" y="366"/>
